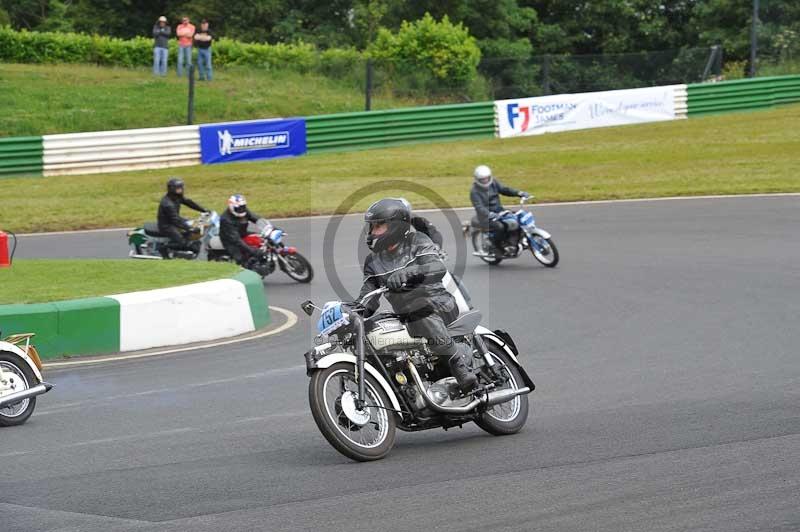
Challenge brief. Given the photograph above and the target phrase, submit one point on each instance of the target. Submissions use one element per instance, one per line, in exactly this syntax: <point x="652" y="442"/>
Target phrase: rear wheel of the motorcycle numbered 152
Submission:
<point x="508" y="417"/>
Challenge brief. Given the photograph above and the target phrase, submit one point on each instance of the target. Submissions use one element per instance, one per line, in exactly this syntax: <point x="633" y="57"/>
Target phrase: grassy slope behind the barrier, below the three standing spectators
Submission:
<point x="46" y="99"/>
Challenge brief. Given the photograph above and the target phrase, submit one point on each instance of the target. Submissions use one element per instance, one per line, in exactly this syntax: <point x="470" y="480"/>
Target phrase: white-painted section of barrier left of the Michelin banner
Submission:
<point x="112" y="151"/>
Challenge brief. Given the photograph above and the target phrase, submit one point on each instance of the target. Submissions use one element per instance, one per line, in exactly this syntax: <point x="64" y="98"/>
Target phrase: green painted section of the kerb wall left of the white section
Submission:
<point x="80" y="326"/>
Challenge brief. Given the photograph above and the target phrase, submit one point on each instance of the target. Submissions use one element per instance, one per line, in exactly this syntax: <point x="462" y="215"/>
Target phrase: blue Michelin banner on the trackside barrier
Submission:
<point x="249" y="141"/>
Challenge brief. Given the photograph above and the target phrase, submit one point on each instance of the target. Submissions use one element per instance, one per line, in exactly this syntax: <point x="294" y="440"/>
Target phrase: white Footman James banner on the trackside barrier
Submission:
<point x="564" y="112"/>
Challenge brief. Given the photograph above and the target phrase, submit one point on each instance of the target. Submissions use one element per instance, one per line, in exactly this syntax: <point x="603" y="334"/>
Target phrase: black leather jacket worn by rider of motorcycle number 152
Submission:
<point x="418" y="252"/>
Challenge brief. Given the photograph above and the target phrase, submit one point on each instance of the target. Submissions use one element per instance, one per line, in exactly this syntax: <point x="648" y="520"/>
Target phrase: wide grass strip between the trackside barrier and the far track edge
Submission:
<point x="731" y="154"/>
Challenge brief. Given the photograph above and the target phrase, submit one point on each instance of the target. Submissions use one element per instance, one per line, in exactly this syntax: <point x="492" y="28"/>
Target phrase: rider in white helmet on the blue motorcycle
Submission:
<point x="485" y="197"/>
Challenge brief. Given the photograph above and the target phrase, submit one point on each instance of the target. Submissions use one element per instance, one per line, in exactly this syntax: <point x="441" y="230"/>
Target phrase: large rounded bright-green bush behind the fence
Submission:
<point x="443" y="52"/>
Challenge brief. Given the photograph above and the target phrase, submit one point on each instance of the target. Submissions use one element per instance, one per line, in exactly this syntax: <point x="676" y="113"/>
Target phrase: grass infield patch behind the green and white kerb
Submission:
<point x="27" y="281"/>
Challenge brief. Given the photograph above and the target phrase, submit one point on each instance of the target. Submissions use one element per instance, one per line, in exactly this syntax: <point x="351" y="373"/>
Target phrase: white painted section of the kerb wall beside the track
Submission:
<point x="183" y="314"/>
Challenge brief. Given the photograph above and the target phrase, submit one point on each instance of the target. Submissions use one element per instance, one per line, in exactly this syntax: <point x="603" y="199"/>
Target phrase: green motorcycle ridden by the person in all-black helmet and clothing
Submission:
<point x="147" y="242"/>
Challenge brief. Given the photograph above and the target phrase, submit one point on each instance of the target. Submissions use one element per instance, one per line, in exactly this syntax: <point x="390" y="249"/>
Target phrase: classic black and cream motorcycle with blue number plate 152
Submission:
<point x="370" y="378"/>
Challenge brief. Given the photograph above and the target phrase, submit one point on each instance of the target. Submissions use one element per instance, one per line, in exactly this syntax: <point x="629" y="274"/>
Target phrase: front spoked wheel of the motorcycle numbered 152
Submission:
<point x="363" y="435"/>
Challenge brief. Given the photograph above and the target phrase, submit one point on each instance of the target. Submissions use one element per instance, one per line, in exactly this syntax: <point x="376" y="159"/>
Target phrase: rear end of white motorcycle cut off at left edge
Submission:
<point x="20" y="379"/>
